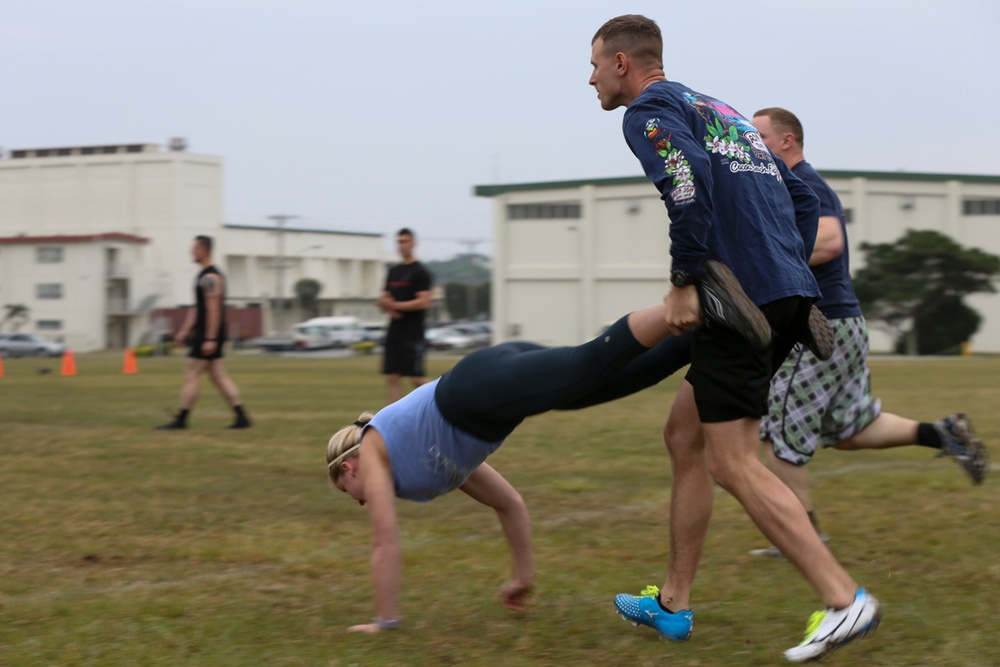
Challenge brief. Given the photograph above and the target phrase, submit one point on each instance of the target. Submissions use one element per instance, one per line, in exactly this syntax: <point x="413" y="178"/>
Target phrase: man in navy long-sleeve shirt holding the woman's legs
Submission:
<point x="727" y="200"/>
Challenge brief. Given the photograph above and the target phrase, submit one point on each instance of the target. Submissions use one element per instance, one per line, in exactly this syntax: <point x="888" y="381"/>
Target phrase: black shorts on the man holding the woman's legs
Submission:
<point x="731" y="379"/>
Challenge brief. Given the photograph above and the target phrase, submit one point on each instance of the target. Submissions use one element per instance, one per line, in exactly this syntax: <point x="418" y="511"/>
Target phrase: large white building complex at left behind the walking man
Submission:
<point x="93" y="238"/>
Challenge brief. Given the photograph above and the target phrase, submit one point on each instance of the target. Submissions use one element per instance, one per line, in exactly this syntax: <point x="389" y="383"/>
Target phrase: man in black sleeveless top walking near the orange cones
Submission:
<point x="206" y="325"/>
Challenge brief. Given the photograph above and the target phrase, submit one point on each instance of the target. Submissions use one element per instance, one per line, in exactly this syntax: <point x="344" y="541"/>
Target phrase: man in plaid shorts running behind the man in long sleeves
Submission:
<point x="816" y="403"/>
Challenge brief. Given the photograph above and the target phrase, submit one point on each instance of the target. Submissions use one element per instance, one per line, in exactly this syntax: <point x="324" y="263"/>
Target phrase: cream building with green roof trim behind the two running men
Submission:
<point x="573" y="256"/>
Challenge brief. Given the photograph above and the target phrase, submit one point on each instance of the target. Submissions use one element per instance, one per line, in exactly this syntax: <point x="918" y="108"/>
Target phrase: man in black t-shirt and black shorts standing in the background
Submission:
<point x="406" y="298"/>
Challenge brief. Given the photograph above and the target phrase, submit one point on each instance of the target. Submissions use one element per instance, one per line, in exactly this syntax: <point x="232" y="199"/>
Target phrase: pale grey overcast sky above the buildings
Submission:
<point x="371" y="115"/>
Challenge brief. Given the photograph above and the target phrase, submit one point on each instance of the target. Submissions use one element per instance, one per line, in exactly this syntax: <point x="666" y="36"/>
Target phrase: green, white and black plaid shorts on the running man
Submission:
<point x="815" y="403"/>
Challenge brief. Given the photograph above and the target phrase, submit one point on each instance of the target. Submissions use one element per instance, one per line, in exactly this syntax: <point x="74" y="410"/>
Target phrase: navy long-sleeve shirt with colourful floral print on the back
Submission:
<point x="728" y="199"/>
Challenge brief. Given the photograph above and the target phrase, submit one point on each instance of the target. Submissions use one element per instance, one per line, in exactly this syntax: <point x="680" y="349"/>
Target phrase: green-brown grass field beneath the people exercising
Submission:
<point x="124" y="546"/>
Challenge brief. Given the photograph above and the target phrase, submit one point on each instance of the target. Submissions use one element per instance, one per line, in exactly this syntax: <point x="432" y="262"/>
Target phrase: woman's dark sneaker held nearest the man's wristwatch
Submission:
<point x="725" y="304"/>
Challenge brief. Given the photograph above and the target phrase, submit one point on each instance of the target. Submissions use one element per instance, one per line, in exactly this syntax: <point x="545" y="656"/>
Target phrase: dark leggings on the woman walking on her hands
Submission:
<point x="489" y="392"/>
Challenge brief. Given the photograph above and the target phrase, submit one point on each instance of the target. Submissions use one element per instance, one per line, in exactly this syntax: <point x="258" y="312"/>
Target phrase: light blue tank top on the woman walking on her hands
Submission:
<point x="429" y="457"/>
